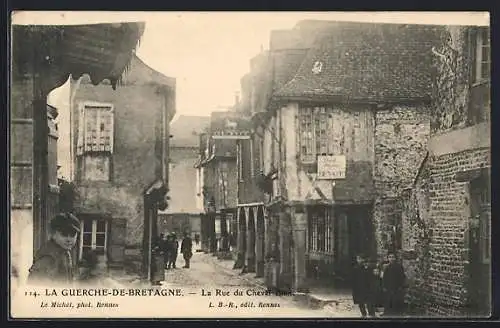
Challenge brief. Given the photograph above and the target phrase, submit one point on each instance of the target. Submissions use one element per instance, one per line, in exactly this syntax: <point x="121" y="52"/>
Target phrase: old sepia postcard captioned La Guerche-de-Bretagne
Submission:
<point x="250" y="165"/>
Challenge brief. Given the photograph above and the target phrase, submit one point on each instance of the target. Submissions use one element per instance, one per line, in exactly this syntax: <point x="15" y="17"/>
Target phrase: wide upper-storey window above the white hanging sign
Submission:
<point x="320" y="132"/>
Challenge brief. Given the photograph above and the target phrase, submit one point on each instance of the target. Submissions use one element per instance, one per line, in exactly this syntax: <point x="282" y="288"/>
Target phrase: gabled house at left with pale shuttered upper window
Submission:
<point x="121" y="152"/>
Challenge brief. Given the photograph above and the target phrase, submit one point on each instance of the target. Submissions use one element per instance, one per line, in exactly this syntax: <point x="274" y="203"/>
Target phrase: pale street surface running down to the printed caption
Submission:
<point x="219" y="292"/>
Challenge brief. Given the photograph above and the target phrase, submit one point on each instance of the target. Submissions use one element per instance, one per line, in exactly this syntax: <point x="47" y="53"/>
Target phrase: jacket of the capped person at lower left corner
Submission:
<point x="52" y="265"/>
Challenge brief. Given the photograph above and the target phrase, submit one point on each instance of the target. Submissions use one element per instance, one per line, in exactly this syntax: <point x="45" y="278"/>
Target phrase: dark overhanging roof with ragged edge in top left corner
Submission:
<point x="103" y="51"/>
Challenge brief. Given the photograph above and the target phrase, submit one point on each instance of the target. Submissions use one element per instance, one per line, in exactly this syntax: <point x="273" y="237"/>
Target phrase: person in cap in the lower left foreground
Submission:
<point x="53" y="264"/>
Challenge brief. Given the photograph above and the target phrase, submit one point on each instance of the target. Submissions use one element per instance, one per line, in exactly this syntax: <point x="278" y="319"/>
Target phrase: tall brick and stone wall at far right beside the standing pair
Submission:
<point x="439" y="284"/>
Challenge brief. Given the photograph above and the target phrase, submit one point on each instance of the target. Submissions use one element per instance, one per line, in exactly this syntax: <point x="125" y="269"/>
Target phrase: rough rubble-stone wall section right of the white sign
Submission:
<point x="401" y="136"/>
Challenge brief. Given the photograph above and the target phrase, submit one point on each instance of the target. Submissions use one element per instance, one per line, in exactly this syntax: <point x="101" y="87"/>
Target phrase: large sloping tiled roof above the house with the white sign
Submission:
<point x="367" y="61"/>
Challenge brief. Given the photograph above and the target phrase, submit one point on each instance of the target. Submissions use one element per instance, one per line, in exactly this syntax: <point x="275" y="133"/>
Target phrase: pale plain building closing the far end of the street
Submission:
<point x="183" y="212"/>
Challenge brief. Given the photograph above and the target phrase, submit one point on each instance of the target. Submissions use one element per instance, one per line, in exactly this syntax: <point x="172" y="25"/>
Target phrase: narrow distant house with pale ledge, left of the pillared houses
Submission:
<point x="219" y="164"/>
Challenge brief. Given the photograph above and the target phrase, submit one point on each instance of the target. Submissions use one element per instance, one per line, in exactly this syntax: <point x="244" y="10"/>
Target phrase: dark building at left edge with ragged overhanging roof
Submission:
<point x="43" y="57"/>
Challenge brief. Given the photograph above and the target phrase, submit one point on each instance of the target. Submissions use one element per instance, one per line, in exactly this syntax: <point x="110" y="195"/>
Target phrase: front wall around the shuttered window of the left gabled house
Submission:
<point x="133" y="159"/>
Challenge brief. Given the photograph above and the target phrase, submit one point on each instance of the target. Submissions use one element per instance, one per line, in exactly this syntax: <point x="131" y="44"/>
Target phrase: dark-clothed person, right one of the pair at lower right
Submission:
<point x="393" y="282"/>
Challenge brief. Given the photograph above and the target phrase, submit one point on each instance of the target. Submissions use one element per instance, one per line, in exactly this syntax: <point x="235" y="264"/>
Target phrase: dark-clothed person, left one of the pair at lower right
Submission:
<point x="361" y="280"/>
